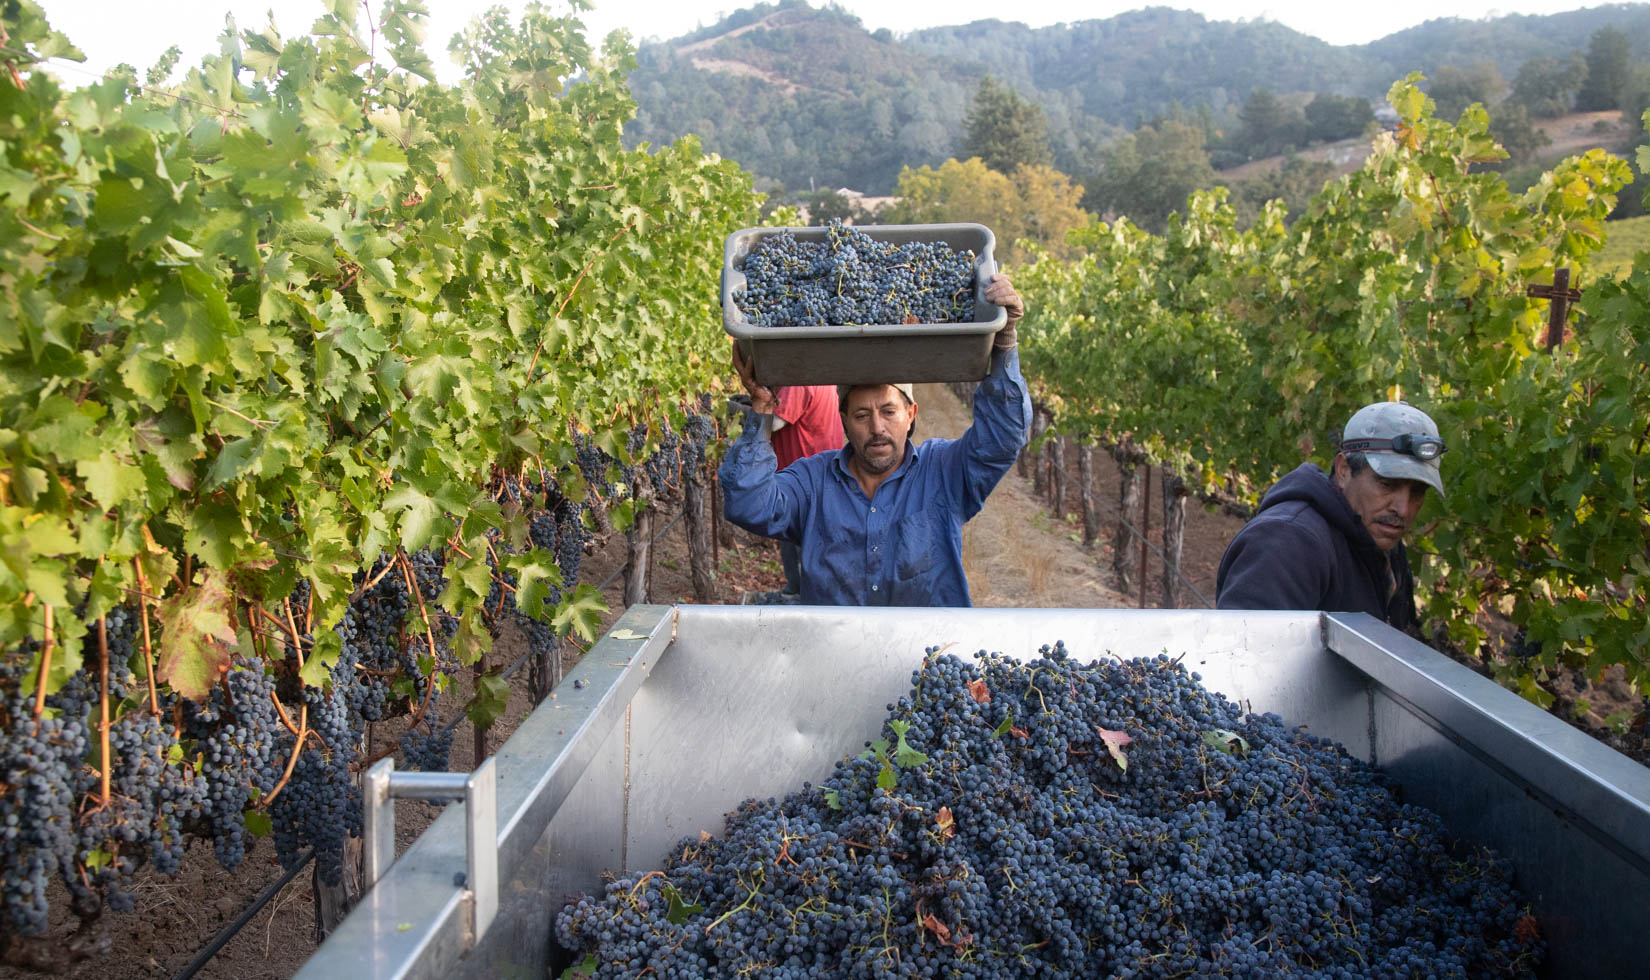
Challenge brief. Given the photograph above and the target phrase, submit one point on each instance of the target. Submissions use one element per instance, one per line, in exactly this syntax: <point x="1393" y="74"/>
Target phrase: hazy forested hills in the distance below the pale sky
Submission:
<point x="809" y="98"/>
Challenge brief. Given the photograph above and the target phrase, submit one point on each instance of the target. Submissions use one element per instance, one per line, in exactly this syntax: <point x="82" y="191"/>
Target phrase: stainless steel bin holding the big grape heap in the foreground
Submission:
<point x="691" y="710"/>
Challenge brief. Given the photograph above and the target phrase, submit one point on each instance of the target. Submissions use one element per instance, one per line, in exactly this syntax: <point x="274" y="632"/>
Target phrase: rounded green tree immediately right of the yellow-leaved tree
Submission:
<point x="1151" y="172"/>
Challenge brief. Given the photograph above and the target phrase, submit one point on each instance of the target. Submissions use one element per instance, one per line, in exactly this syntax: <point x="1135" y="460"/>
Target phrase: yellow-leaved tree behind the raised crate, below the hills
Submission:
<point x="1035" y="202"/>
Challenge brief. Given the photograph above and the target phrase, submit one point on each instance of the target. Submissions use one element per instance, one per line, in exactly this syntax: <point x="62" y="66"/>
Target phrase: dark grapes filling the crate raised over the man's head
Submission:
<point x="852" y="278"/>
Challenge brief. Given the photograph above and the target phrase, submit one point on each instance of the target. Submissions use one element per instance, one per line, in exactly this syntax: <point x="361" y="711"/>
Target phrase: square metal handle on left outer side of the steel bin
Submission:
<point x="479" y="793"/>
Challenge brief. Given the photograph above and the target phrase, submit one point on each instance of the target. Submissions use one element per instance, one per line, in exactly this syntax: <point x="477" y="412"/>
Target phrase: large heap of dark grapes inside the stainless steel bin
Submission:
<point x="1054" y="819"/>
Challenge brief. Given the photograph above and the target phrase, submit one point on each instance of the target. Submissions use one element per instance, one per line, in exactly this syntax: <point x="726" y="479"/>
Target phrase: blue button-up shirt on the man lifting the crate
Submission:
<point x="905" y="545"/>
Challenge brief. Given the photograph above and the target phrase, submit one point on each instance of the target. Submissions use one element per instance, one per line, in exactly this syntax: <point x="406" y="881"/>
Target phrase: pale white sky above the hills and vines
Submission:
<point x="128" y="31"/>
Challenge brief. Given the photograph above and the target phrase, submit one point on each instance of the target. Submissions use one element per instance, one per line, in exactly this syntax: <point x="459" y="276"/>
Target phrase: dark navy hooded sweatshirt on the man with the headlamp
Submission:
<point x="1306" y="549"/>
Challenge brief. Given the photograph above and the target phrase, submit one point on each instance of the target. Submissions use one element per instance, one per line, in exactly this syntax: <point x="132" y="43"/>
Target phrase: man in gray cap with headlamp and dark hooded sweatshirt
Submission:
<point x="1336" y="542"/>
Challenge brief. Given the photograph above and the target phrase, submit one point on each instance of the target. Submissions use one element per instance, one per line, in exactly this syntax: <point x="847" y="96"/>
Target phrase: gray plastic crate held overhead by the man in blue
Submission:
<point x="874" y="354"/>
